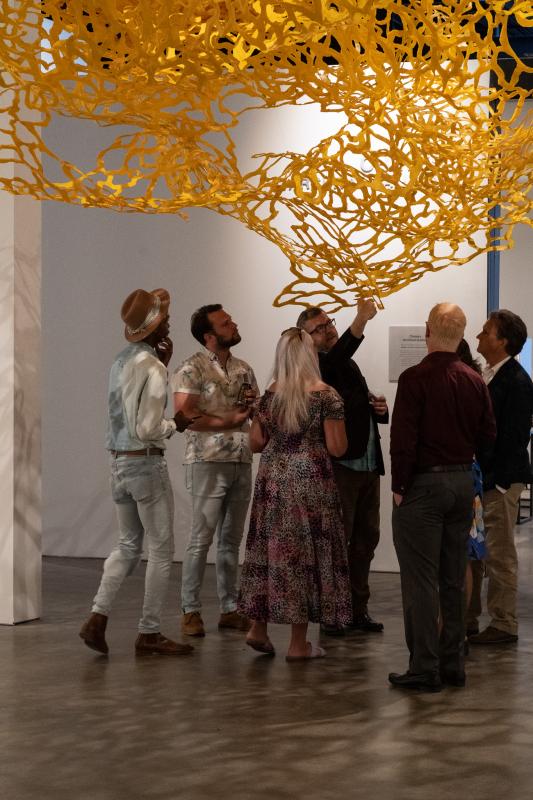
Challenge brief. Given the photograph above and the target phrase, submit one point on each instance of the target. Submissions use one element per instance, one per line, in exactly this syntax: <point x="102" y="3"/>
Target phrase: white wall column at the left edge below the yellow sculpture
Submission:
<point x="20" y="404"/>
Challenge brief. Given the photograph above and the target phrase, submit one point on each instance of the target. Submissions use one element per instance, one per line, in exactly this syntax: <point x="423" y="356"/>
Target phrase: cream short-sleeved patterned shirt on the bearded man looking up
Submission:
<point x="217" y="388"/>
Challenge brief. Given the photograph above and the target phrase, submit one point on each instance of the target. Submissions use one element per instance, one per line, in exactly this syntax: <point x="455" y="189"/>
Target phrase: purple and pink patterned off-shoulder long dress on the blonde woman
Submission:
<point x="295" y="568"/>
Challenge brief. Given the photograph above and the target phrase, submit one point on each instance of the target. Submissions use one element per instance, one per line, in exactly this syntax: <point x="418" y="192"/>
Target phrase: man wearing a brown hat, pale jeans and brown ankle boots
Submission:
<point x="137" y="430"/>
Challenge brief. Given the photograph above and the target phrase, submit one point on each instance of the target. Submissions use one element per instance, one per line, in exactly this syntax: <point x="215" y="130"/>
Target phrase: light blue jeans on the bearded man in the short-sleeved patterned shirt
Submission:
<point x="220" y="494"/>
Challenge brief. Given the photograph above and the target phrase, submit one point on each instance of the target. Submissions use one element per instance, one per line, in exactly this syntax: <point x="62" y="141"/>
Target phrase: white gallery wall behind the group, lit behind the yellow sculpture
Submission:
<point x="93" y="258"/>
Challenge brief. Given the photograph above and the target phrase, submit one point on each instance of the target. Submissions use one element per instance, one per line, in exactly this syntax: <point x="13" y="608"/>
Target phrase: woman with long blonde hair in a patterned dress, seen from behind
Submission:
<point x="295" y="569"/>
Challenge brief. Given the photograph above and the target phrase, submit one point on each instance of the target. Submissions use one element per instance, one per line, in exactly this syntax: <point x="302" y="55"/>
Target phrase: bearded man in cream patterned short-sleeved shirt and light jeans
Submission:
<point x="218" y="462"/>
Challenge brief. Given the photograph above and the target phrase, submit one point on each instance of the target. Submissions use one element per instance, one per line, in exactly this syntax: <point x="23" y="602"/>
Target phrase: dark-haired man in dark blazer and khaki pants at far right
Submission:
<point x="506" y="468"/>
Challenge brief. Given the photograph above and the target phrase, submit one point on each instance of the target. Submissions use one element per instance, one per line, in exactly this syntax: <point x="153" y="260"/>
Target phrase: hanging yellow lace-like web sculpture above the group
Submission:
<point x="423" y="154"/>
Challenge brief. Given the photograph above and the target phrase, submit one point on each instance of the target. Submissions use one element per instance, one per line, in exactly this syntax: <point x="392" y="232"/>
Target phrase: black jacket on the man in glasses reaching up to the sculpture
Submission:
<point x="340" y="371"/>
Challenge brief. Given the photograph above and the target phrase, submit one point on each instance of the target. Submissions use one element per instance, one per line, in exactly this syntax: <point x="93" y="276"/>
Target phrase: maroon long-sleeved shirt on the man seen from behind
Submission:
<point x="442" y="415"/>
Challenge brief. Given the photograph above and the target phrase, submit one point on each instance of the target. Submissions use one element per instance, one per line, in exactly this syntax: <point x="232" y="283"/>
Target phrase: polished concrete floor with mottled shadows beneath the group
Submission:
<point x="227" y="723"/>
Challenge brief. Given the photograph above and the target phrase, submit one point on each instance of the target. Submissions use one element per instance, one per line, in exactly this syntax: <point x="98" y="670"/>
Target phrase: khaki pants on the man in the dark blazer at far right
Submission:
<point x="499" y="512"/>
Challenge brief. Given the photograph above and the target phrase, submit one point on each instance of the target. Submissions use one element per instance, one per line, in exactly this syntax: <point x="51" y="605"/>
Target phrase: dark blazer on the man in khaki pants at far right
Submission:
<point x="507" y="462"/>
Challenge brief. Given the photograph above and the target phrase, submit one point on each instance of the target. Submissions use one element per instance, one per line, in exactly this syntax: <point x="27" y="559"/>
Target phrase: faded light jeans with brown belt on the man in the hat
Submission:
<point x="144" y="502"/>
